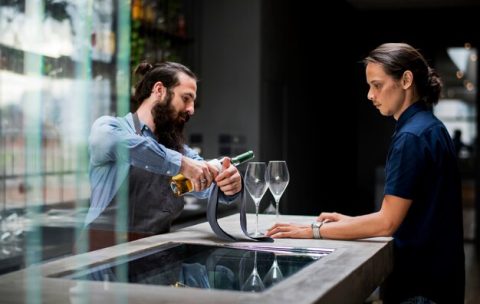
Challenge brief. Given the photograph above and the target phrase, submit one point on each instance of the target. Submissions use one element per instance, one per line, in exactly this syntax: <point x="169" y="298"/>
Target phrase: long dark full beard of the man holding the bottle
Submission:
<point x="169" y="125"/>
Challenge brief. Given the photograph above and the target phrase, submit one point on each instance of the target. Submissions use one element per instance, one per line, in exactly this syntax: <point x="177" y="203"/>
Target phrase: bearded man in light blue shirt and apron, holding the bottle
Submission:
<point x="133" y="158"/>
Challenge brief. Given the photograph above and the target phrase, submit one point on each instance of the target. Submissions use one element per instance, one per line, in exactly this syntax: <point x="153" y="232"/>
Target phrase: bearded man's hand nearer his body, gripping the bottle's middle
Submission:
<point x="197" y="171"/>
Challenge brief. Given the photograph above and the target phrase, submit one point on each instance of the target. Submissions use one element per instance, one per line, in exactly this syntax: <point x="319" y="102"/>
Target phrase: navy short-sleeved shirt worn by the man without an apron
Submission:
<point x="422" y="166"/>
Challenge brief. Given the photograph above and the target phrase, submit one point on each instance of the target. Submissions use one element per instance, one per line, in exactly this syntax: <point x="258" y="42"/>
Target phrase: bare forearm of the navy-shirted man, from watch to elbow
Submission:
<point x="364" y="226"/>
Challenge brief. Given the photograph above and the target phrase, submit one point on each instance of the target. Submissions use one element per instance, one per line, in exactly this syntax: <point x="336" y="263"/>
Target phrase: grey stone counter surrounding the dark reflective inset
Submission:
<point x="347" y="275"/>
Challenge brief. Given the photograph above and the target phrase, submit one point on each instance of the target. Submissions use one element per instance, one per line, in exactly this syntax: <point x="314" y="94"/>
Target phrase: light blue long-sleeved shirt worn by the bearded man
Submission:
<point x="114" y="147"/>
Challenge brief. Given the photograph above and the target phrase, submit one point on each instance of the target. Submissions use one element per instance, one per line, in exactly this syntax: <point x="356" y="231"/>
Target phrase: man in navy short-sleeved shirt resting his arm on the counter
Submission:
<point x="422" y="207"/>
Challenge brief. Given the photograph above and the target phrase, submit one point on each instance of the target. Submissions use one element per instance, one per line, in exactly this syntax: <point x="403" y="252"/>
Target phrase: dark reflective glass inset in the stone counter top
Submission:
<point x="202" y="266"/>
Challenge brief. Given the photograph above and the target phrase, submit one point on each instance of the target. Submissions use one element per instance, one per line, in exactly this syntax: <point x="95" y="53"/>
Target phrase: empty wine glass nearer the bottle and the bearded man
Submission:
<point x="256" y="186"/>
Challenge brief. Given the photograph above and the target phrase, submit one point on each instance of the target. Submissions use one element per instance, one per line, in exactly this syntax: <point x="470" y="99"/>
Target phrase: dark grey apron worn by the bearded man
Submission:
<point x="152" y="207"/>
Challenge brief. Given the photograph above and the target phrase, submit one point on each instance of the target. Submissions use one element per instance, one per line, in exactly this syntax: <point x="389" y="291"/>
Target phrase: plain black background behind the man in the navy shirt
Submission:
<point x="311" y="62"/>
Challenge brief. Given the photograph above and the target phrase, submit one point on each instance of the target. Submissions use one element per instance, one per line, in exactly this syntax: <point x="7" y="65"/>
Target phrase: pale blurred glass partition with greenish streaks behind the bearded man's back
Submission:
<point x="62" y="65"/>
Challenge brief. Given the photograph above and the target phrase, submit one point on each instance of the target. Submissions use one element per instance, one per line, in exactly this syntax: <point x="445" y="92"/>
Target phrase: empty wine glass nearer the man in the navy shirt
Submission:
<point x="277" y="178"/>
